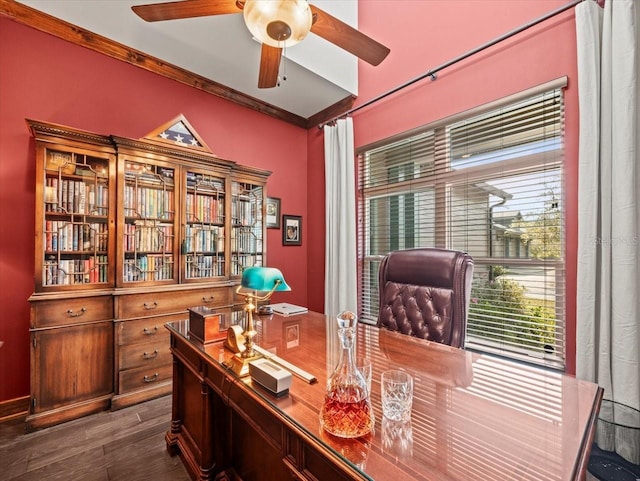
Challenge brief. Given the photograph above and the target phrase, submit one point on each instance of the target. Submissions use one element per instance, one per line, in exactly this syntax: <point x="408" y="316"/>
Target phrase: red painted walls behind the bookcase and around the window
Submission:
<point x="47" y="79"/>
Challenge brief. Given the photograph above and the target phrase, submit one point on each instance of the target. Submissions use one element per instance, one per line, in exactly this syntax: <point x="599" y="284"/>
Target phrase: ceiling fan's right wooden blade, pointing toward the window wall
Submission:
<point x="346" y="37"/>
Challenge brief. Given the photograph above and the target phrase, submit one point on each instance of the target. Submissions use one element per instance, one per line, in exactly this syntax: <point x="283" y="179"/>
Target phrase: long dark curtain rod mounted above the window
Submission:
<point x="433" y="72"/>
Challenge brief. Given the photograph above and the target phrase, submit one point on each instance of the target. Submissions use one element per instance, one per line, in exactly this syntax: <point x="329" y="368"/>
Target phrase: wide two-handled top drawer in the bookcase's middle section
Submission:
<point x="149" y="304"/>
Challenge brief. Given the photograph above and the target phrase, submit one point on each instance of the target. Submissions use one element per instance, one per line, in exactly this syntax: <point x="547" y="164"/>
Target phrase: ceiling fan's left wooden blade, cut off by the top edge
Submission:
<point x="155" y="12"/>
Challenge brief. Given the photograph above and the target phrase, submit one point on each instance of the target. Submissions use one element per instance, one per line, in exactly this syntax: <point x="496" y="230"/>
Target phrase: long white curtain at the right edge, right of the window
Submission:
<point x="608" y="289"/>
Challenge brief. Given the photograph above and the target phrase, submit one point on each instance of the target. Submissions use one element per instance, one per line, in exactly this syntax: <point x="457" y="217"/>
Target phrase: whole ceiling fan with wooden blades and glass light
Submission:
<point x="275" y="23"/>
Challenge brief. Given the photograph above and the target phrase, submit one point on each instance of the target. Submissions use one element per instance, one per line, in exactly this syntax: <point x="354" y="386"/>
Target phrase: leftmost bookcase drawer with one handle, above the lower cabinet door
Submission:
<point x="79" y="310"/>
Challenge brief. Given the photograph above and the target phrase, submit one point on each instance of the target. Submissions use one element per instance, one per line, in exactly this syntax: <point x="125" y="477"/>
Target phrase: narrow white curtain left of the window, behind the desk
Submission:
<point x="340" y="285"/>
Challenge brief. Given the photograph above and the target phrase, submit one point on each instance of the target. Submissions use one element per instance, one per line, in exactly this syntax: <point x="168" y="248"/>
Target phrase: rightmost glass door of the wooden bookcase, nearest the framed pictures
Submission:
<point x="247" y="228"/>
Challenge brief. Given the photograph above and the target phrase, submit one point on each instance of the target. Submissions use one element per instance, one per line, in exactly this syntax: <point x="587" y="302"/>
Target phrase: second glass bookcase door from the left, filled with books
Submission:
<point x="149" y="230"/>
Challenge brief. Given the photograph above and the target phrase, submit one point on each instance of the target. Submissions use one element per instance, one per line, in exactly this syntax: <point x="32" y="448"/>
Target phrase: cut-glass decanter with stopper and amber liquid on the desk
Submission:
<point x="346" y="411"/>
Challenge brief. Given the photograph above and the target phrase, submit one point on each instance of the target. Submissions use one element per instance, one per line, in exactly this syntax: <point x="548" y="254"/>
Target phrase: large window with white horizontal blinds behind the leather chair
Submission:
<point x="489" y="183"/>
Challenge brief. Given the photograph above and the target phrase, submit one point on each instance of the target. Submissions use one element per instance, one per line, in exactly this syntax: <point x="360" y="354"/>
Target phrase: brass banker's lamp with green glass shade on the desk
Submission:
<point x="258" y="284"/>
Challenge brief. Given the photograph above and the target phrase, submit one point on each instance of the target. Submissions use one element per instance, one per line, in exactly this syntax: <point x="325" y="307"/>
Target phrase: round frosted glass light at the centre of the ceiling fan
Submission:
<point x="274" y="22"/>
